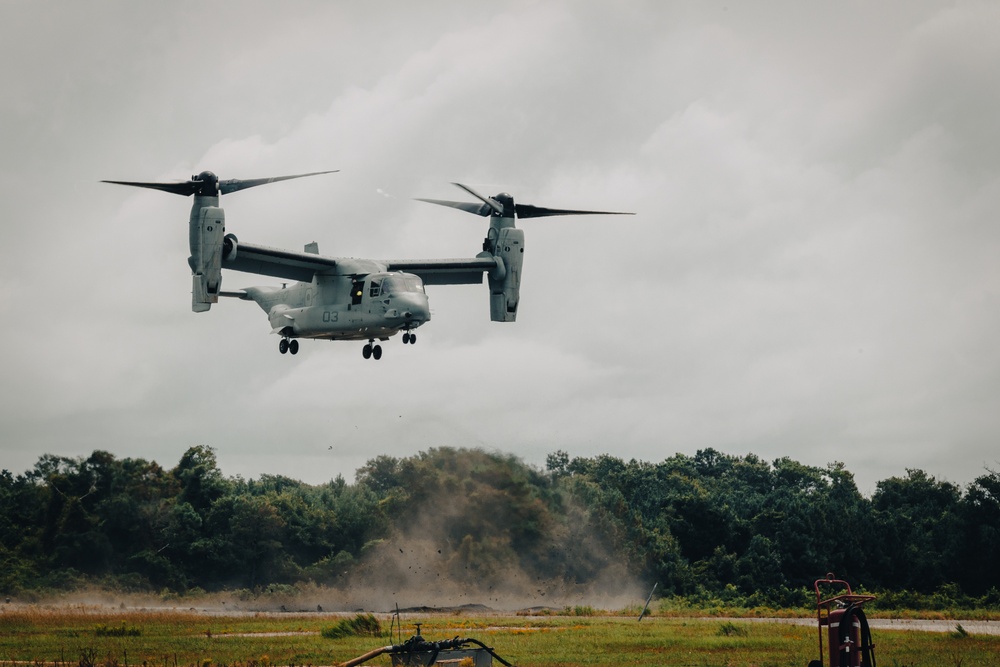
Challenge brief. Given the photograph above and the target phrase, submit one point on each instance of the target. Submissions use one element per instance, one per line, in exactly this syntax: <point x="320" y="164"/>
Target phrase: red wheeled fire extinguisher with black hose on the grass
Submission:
<point x="849" y="638"/>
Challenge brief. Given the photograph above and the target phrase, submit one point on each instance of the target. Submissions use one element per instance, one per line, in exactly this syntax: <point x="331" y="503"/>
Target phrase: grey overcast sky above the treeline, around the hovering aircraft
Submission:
<point x="813" y="270"/>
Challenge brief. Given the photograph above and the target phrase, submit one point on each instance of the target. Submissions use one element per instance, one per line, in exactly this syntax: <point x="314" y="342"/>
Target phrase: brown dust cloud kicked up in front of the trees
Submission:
<point x="446" y="555"/>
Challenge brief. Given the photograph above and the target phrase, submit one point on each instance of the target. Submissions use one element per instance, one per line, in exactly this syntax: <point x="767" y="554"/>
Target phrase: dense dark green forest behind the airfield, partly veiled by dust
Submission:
<point x="711" y="526"/>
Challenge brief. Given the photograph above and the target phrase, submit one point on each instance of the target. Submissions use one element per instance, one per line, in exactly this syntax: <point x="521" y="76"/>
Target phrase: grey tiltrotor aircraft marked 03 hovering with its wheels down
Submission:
<point x="339" y="298"/>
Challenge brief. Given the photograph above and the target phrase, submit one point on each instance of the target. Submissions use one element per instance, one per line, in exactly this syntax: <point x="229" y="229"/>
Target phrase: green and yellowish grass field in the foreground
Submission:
<point x="87" y="636"/>
